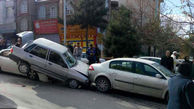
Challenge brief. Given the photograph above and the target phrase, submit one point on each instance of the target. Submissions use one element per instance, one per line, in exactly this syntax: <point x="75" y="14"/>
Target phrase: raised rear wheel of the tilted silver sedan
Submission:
<point x="23" y="67"/>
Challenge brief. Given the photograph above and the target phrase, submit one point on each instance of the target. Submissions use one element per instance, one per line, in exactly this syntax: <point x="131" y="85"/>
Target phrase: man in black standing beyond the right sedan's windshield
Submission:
<point x="167" y="61"/>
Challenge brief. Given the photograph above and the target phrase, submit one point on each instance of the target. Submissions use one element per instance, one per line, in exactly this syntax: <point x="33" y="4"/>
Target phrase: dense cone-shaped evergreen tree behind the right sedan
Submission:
<point x="121" y="38"/>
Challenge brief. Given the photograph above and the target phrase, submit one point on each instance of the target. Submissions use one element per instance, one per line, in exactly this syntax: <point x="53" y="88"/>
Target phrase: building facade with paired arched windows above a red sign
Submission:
<point x="46" y="19"/>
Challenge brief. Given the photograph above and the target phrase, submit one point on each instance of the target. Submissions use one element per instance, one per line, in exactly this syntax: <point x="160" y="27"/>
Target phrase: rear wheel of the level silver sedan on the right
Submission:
<point x="102" y="85"/>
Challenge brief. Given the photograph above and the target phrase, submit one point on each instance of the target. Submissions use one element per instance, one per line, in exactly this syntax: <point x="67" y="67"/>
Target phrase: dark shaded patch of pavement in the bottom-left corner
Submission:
<point x="6" y="103"/>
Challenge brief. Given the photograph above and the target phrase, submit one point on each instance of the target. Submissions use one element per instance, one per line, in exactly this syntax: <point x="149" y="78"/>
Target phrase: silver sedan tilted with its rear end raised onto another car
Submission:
<point x="52" y="59"/>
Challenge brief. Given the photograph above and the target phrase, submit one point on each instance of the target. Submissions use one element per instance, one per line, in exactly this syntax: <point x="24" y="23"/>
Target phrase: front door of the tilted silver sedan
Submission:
<point x="57" y="66"/>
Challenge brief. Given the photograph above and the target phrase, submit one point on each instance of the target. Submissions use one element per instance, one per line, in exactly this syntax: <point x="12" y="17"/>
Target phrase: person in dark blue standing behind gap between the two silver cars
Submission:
<point x="91" y="54"/>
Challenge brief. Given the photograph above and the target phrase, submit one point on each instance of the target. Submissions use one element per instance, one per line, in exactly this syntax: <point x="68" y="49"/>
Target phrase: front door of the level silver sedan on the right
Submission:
<point x="146" y="82"/>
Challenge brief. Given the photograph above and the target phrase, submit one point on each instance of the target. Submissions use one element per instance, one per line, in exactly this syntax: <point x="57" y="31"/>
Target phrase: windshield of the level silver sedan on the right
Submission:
<point x="164" y="70"/>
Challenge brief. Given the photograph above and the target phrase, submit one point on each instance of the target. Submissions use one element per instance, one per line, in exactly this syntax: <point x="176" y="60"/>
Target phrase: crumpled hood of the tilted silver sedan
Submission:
<point x="81" y="67"/>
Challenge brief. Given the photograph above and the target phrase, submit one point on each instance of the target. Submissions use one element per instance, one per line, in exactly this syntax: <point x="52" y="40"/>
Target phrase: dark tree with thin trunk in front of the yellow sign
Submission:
<point x="89" y="14"/>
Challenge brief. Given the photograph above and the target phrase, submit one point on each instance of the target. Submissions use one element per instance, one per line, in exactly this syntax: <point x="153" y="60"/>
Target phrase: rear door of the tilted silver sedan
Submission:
<point x="36" y="56"/>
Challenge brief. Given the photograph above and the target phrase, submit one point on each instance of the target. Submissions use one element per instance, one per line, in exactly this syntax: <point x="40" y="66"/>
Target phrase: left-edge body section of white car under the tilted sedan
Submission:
<point x="6" y="64"/>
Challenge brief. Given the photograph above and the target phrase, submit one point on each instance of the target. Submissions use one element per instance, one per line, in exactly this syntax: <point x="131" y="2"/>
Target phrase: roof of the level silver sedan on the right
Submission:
<point x="134" y="59"/>
